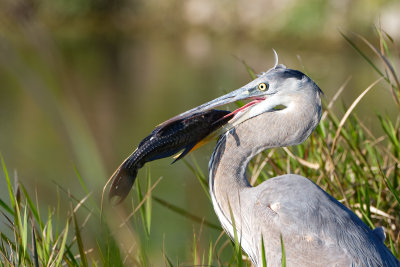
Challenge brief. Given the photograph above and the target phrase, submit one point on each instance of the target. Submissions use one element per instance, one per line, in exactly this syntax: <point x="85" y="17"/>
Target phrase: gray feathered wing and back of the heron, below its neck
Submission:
<point x="314" y="225"/>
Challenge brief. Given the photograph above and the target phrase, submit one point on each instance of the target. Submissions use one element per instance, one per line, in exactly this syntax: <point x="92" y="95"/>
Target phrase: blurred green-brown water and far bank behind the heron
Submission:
<point x="83" y="81"/>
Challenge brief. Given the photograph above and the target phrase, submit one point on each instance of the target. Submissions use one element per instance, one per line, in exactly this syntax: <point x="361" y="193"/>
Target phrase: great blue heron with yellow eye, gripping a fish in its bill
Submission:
<point x="315" y="228"/>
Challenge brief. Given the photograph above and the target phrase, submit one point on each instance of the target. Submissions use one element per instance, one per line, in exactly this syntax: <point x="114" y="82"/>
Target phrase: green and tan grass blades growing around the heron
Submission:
<point x="343" y="156"/>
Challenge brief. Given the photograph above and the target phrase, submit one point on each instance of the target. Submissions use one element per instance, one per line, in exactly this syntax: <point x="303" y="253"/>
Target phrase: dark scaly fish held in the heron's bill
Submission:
<point x="166" y="140"/>
